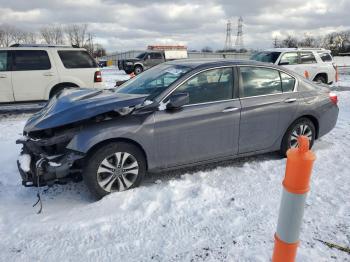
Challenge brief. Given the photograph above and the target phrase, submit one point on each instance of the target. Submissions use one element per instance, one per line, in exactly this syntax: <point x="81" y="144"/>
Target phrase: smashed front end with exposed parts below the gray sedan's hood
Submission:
<point x="45" y="160"/>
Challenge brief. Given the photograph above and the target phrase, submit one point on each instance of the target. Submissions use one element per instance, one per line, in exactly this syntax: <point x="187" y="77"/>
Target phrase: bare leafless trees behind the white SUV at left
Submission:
<point x="73" y="34"/>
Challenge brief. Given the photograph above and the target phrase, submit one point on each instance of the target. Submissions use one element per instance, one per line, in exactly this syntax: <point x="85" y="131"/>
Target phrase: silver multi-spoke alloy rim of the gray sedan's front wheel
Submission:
<point x="117" y="172"/>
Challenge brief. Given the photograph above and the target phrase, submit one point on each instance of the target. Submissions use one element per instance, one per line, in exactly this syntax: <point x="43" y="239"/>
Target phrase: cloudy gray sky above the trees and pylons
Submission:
<point x="134" y="24"/>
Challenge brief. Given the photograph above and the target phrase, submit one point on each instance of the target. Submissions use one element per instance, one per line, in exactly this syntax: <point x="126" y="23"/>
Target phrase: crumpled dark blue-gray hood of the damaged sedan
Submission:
<point x="74" y="105"/>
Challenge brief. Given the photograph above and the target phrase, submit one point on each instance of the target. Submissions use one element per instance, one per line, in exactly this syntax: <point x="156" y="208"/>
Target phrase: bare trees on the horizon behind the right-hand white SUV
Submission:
<point x="337" y="42"/>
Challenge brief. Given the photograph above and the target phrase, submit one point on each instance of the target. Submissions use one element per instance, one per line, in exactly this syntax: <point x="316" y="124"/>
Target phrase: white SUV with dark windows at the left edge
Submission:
<point x="37" y="72"/>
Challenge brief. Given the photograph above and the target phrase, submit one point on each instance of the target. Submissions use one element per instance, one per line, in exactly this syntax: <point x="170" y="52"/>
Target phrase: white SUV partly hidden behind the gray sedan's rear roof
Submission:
<point x="314" y="63"/>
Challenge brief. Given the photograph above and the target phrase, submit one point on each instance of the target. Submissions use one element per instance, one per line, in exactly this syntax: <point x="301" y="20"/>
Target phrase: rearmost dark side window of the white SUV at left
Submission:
<point x="76" y="59"/>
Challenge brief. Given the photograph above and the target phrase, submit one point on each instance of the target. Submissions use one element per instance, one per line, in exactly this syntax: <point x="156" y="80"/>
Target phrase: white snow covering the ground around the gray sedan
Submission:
<point x="223" y="212"/>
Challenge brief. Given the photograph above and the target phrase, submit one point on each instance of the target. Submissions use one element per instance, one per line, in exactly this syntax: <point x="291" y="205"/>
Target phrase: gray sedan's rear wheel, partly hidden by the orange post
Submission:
<point x="289" y="140"/>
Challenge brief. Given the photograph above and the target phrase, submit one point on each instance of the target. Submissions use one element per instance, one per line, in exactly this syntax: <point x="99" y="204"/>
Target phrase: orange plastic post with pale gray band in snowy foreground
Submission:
<point x="296" y="183"/>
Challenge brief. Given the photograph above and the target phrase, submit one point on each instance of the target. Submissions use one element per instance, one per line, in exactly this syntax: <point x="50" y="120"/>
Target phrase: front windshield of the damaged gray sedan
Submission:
<point x="153" y="81"/>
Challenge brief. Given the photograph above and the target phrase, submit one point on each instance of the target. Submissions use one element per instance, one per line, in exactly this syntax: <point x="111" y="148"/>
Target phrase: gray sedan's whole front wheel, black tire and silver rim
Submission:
<point x="104" y="173"/>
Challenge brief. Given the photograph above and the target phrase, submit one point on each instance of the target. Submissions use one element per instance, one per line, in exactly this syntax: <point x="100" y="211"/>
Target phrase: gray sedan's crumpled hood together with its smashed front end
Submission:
<point x="45" y="158"/>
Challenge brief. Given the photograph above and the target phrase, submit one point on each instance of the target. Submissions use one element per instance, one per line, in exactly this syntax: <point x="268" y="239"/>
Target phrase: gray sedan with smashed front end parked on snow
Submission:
<point x="177" y="114"/>
